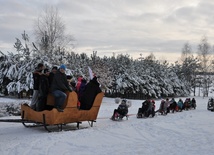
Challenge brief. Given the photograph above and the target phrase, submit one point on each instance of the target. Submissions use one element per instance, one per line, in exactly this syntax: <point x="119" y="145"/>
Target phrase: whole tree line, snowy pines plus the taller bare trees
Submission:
<point x="120" y="76"/>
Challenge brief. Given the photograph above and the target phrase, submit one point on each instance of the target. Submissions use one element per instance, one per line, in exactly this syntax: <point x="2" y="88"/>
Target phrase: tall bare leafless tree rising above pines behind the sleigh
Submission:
<point x="49" y="31"/>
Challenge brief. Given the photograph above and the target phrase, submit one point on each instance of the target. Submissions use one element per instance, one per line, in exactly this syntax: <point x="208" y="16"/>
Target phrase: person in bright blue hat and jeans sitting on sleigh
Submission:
<point x="59" y="87"/>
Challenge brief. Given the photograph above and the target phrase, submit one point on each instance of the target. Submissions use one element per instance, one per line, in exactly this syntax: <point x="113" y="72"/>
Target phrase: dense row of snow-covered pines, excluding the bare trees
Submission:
<point x="120" y="75"/>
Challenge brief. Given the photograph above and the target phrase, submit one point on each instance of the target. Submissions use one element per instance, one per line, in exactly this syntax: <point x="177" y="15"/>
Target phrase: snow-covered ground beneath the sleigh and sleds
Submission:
<point x="182" y="133"/>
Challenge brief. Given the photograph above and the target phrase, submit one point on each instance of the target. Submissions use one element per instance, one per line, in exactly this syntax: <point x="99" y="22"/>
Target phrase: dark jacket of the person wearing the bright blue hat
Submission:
<point x="60" y="82"/>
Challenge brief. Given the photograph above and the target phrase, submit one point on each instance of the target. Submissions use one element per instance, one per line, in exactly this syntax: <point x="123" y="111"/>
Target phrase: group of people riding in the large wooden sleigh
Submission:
<point x="57" y="83"/>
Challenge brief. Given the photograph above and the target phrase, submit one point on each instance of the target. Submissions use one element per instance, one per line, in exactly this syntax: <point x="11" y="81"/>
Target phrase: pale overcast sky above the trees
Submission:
<point x="131" y="27"/>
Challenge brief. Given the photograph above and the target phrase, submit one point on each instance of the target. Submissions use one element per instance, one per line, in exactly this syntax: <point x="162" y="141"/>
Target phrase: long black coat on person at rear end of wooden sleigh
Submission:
<point x="89" y="94"/>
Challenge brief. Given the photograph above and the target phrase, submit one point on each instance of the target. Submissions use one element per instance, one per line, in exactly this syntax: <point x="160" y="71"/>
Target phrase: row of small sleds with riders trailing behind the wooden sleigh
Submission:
<point x="148" y="108"/>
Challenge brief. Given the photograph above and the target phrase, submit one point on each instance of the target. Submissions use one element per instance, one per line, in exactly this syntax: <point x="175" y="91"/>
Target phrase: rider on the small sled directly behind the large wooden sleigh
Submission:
<point x="121" y="111"/>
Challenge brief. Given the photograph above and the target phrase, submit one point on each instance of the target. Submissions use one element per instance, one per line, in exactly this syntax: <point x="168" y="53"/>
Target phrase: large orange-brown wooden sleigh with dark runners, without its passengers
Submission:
<point x="71" y="114"/>
